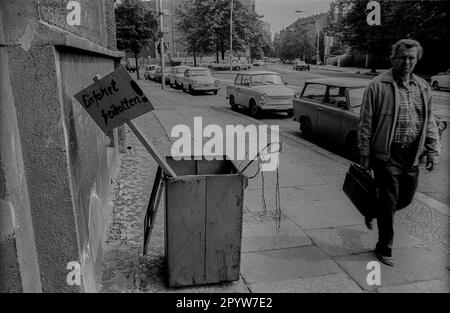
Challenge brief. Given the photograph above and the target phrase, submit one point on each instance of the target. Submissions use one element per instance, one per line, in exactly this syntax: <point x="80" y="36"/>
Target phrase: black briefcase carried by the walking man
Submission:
<point x="361" y="189"/>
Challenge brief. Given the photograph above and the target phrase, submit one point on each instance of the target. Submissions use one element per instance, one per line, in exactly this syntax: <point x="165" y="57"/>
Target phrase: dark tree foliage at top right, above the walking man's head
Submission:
<point x="425" y="21"/>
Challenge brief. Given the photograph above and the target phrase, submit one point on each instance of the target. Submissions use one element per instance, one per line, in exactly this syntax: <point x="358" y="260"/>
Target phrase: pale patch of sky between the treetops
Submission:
<point x="281" y="13"/>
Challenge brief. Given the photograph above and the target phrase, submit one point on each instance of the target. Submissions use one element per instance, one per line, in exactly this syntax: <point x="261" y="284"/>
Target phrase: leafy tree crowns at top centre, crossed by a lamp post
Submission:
<point x="206" y="24"/>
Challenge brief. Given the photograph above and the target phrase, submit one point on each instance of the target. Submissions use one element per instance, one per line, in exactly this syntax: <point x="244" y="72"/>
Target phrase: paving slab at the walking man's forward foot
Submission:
<point x="354" y="239"/>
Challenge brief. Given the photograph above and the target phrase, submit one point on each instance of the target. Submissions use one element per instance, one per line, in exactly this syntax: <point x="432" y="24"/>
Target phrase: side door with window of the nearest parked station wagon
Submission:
<point x="329" y="113"/>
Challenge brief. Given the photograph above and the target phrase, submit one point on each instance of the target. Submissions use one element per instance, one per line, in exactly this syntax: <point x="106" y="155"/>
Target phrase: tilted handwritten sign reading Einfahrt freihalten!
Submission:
<point x="114" y="100"/>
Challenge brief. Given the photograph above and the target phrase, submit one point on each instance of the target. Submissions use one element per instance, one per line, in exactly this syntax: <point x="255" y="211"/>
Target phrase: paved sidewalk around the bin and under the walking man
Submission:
<point x="322" y="244"/>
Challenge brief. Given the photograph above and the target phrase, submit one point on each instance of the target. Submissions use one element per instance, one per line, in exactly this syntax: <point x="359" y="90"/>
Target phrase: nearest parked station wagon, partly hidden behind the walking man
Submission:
<point x="331" y="107"/>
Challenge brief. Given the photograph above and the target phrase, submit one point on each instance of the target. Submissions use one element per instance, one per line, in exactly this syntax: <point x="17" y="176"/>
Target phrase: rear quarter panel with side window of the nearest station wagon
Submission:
<point x="311" y="103"/>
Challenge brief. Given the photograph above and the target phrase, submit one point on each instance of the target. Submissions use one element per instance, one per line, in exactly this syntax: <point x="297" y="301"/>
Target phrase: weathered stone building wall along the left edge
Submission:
<point x="65" y="167"/>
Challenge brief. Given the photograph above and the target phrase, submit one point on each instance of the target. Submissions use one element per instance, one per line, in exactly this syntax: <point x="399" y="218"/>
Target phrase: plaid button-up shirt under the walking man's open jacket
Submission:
<point x="411" y="113"/>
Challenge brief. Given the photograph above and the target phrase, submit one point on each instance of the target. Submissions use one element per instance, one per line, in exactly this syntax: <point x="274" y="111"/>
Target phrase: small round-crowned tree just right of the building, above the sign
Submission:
<point x="136" y="26"/>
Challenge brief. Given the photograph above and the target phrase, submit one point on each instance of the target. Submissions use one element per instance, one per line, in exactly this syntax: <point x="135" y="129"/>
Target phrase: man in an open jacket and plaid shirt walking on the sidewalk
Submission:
<point x="396" y="126"/>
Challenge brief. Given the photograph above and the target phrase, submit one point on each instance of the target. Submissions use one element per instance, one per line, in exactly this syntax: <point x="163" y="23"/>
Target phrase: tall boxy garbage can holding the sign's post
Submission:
<point x="203" y="222"/>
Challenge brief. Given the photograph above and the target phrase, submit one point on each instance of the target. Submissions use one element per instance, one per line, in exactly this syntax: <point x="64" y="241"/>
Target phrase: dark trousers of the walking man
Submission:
<point x="397" y="183"/>
